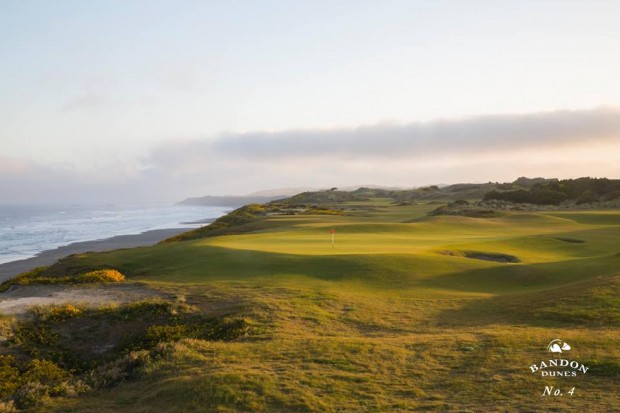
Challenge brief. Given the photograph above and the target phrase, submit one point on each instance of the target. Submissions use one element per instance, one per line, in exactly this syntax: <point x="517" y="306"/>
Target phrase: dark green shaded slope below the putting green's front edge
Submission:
<point x="180" y="262"/>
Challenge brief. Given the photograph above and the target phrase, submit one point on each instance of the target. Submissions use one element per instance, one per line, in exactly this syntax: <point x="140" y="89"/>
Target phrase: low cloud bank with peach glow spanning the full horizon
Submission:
<point x="559" y="144"/>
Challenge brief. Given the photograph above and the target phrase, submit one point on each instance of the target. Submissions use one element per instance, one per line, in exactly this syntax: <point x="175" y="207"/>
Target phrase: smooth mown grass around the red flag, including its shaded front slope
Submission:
<point x="410" y="251"/>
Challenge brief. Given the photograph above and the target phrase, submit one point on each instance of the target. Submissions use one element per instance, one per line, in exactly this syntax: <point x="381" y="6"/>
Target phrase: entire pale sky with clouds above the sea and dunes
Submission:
<point x="140" y="101"/>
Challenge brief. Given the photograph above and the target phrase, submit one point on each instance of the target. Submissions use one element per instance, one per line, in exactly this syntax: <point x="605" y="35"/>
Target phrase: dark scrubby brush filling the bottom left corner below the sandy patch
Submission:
<point x="64" y="351"/>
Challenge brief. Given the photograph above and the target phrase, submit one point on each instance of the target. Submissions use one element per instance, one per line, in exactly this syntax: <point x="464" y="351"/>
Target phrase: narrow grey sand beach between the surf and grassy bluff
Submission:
<point x="48" y="257"/>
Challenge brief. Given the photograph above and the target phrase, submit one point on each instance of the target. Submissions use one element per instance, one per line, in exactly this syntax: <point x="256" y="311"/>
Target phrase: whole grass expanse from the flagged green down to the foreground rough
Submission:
<point x="386" y="321"/>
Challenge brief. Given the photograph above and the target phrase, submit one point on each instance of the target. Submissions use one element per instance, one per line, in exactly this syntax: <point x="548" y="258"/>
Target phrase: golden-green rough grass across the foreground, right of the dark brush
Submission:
<point x="327" y="352"/>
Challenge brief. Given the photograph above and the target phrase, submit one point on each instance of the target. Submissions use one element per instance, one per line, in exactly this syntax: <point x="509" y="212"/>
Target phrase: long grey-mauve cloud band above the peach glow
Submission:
<point x="483" y="134"/>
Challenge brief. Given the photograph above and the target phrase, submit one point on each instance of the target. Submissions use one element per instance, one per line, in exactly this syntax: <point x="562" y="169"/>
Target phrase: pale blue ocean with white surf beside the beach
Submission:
<point x="26" y="230"/>
